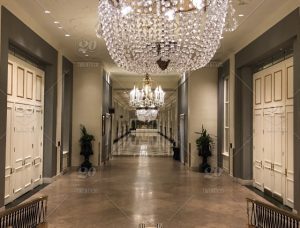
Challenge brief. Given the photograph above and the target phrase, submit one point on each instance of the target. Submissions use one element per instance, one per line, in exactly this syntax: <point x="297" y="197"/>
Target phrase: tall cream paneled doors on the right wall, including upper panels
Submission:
<point x="273" y="133"/>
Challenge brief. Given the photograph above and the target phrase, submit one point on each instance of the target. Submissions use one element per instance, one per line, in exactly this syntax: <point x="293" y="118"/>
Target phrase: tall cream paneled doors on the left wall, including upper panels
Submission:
<point x="24" y="140"/>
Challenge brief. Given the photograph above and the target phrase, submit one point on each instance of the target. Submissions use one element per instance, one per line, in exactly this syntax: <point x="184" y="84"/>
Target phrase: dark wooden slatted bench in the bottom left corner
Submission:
<point x="28" y="214"/>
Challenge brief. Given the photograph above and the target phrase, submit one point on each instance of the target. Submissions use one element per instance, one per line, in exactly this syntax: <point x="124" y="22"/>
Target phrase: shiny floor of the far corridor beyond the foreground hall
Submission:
<point x="143" y="144"/>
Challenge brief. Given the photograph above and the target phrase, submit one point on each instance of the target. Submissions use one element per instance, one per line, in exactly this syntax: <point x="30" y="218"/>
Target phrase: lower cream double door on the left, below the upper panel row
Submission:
<point x="24" y="150"/>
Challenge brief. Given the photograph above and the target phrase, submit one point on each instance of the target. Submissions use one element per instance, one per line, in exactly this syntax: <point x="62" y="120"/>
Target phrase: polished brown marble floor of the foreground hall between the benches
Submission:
<point x="146" y="189"/>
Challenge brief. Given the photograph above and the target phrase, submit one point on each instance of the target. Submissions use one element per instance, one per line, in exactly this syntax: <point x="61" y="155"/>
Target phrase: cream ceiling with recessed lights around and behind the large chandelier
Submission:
<point x="78" y="18"/>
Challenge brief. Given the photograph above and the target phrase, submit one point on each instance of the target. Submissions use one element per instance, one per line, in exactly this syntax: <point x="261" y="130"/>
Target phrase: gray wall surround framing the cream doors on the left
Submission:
<point x="13" y="31"/>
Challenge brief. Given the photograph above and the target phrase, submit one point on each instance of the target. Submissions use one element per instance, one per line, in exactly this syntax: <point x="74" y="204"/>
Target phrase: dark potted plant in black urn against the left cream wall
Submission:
<point x="86" y="147"/>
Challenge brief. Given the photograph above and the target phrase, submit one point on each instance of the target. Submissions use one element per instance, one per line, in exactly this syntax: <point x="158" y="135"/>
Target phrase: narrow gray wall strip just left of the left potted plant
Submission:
<point x="67" y="100"/>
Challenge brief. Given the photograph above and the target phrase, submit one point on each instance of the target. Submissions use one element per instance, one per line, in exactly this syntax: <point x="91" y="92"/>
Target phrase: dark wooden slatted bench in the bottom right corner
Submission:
<point x="263" y="215"/>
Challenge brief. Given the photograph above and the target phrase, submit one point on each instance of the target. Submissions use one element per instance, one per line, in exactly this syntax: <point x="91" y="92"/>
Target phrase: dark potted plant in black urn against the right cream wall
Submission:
<point x="204" y="146"/>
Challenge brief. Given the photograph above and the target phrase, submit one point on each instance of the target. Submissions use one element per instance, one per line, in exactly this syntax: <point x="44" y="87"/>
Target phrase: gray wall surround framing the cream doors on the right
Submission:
<point x="282" y="35"/>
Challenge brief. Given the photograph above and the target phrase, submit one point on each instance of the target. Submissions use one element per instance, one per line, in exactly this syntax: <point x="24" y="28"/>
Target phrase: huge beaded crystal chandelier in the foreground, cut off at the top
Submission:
<point x="159" y="36"/>
